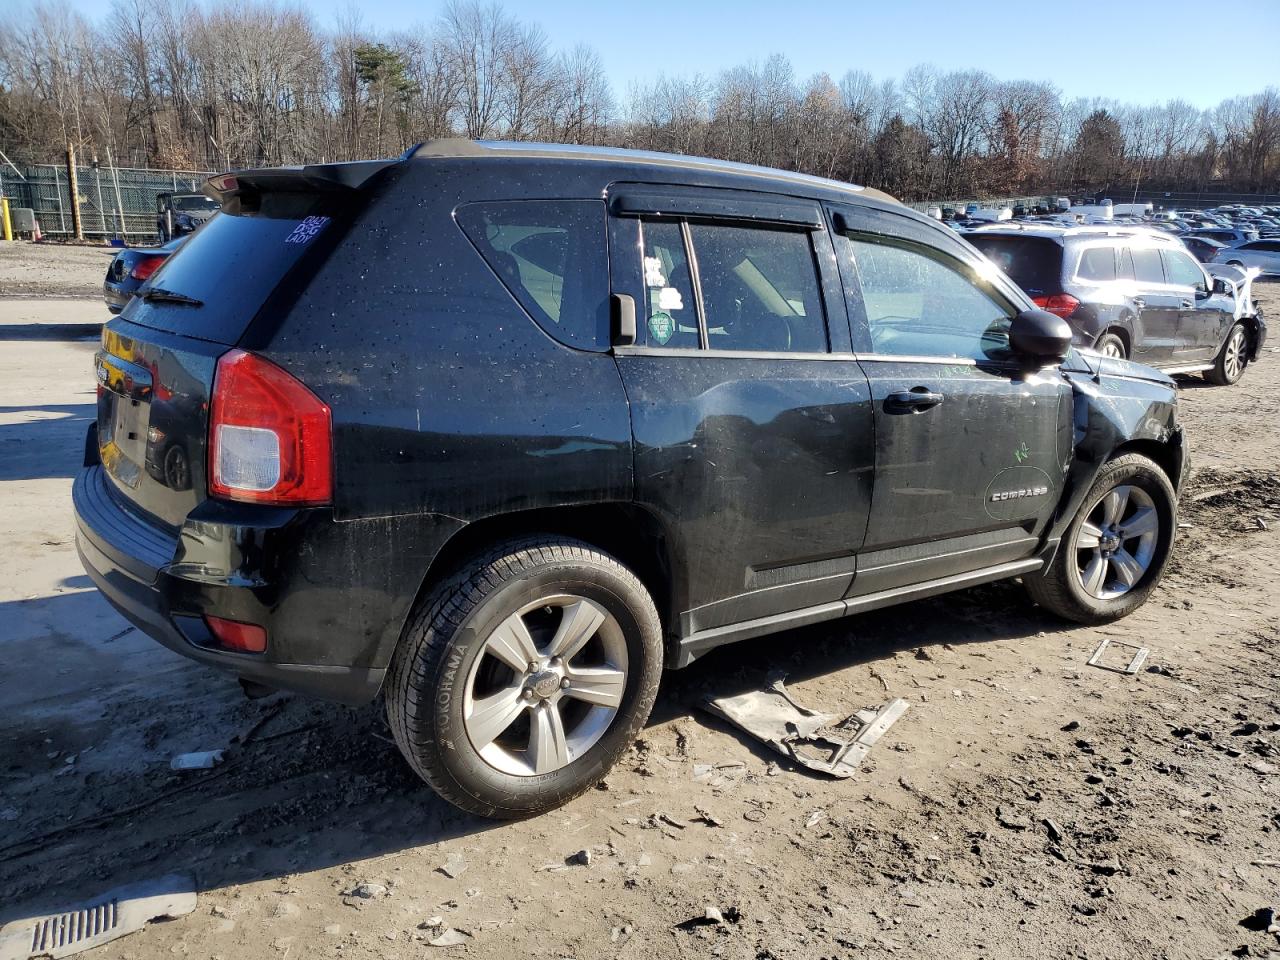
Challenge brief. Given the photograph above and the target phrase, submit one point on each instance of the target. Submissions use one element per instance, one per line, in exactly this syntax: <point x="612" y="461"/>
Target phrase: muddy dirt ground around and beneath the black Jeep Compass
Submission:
<point x="1163" y="789"/>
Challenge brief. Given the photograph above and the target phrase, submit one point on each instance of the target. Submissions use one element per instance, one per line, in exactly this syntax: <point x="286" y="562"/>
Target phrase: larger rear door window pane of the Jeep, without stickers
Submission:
<point x="760" y="290"/>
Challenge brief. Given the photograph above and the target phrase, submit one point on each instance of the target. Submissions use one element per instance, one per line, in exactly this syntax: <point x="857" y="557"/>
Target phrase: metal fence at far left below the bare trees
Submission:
<point x="115" y="202"/>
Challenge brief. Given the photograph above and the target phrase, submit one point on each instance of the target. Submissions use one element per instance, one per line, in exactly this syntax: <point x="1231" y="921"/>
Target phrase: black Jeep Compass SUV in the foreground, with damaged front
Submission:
<point x="500" y="431"/>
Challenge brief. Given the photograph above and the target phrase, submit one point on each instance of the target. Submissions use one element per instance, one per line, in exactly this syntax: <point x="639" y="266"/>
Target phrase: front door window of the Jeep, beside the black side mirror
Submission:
<point x="927" y="305"/>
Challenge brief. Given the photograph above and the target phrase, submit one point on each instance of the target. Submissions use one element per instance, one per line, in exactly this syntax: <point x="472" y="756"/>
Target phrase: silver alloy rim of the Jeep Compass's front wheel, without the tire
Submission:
<point x="1117" y="543"/>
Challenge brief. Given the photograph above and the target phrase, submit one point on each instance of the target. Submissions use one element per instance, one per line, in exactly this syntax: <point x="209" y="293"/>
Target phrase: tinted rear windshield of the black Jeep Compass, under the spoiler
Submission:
<point x="232" y="264"/>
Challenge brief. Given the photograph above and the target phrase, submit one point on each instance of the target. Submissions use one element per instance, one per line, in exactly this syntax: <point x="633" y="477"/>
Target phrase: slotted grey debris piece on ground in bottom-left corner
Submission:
<point x="111" y="917"/>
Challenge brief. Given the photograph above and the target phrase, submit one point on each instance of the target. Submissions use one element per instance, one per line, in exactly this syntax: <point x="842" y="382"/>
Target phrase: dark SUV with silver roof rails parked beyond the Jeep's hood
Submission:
<point x="1131" y="294"/>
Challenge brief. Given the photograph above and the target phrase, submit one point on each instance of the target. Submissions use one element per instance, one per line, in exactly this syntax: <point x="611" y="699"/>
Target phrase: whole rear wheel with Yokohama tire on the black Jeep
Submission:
<point x="522" y="680"/>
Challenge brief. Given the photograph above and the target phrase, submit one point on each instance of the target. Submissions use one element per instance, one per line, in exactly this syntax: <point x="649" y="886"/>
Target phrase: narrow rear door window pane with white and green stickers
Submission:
<point x="671" y="313"/>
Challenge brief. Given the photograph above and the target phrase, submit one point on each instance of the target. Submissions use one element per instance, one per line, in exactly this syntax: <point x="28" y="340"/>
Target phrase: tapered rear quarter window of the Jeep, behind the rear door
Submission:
<point x="551" y="255"/>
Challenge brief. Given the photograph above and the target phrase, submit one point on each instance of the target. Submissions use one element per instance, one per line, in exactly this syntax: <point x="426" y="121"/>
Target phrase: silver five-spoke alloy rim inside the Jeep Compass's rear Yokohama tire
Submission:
<point x="547" y="687"/>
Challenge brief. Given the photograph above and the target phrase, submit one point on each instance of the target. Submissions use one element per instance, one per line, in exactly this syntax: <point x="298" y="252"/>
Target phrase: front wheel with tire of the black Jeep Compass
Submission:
<point x="1116" y="550"/>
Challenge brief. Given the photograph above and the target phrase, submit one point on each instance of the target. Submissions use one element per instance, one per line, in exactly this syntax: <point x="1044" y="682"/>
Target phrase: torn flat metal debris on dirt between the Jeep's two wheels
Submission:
<point x="820" y="742"/>
